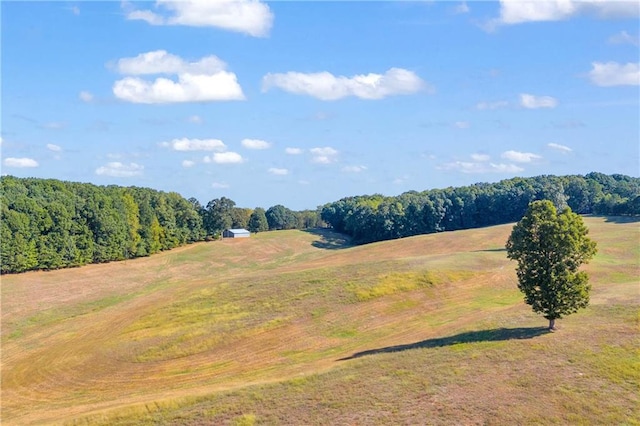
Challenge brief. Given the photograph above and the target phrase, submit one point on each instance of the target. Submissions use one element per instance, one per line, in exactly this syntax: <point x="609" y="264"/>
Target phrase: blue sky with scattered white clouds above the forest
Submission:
<point x="302" y="103"/>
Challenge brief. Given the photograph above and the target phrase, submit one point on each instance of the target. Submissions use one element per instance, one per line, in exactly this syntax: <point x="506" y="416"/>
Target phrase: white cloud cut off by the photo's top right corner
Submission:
<point x="518" y="11"/>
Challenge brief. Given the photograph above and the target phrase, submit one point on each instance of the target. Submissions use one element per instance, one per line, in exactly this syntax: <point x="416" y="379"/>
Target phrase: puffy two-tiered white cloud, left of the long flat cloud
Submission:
<point x="201" y="81"/>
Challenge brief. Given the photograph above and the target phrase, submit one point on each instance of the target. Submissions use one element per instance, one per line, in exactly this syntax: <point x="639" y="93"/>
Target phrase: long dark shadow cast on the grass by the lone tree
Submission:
<point x="494" y="335"/>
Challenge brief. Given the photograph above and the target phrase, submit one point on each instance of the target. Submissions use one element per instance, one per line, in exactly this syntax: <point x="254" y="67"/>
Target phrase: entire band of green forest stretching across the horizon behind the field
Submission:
<point x="50" y="224"/>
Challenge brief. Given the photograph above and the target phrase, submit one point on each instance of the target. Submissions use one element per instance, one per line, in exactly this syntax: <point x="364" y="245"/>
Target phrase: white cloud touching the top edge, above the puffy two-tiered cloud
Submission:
<point x="246" y="16"/>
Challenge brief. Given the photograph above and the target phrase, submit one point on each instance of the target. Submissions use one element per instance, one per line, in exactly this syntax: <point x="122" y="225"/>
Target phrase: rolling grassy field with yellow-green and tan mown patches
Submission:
<point x="295" y="327"/>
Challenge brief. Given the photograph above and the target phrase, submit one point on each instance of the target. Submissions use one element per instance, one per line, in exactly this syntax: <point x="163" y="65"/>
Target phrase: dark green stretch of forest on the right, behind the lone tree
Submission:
<point x="375" y="217"/>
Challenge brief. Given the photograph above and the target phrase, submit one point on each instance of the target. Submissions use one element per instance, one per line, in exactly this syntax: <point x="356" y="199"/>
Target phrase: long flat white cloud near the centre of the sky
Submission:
<point x="327" y="87"/>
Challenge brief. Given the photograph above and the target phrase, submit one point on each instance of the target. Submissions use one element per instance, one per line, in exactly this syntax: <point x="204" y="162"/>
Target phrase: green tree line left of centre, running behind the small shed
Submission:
<point x="50" y="224"/>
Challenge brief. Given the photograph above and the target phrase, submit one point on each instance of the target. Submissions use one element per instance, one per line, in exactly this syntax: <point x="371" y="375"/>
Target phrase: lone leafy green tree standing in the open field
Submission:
<point x="549" y="248"/>
